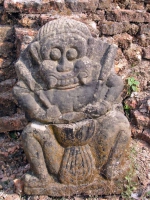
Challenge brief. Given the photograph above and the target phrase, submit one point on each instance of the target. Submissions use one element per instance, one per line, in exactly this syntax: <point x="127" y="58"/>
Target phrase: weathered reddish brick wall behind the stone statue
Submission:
<point x="122" y="22"/>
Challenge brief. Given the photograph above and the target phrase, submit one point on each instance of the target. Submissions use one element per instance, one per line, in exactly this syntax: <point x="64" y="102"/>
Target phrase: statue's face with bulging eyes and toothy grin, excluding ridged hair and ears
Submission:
<point x="64" y="63"/>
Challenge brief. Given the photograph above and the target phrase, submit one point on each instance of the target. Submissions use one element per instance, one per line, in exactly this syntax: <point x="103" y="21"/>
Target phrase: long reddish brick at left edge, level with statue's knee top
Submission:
<point x="15" y="122"/>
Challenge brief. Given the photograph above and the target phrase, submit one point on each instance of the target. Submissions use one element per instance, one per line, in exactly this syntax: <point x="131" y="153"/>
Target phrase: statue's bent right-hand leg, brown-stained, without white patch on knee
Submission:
<point x="111" y="144"/>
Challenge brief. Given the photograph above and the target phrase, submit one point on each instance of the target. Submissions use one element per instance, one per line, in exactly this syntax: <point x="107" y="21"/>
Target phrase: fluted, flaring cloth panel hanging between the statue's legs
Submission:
<point x="78" y="166"/>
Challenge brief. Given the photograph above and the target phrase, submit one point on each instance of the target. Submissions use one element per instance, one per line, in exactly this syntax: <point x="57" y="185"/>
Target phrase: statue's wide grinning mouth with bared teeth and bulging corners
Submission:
<point x="67" y="82"/>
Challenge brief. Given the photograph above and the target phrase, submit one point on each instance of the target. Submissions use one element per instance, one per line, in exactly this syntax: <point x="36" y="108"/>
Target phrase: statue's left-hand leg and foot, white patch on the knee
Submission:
<point x="43" y="153"/>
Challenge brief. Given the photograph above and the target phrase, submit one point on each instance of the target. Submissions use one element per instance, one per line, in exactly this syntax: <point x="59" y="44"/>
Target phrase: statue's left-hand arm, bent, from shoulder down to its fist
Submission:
<point x="33" y="109"/>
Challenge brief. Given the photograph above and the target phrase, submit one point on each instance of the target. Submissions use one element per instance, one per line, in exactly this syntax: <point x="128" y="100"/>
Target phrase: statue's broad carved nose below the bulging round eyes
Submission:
<point x="65" y="65"/>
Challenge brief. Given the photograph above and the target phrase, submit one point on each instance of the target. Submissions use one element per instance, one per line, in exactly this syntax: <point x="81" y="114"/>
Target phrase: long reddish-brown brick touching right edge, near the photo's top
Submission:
<point x="127" y="15"/>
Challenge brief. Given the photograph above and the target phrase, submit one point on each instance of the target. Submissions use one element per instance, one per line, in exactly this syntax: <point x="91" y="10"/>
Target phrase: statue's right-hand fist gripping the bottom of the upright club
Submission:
<point x="97" y="109"/>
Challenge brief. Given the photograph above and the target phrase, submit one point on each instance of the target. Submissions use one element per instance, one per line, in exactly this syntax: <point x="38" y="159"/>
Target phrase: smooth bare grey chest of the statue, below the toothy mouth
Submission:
<point x="71" y="99"/>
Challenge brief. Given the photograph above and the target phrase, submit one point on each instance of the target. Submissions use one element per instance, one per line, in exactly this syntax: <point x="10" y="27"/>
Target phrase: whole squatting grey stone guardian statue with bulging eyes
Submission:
<point x="77" y="136"/>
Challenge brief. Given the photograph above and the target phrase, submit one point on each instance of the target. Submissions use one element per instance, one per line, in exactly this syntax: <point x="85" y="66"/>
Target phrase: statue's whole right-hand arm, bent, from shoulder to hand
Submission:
<point x="106" y="95"/>
